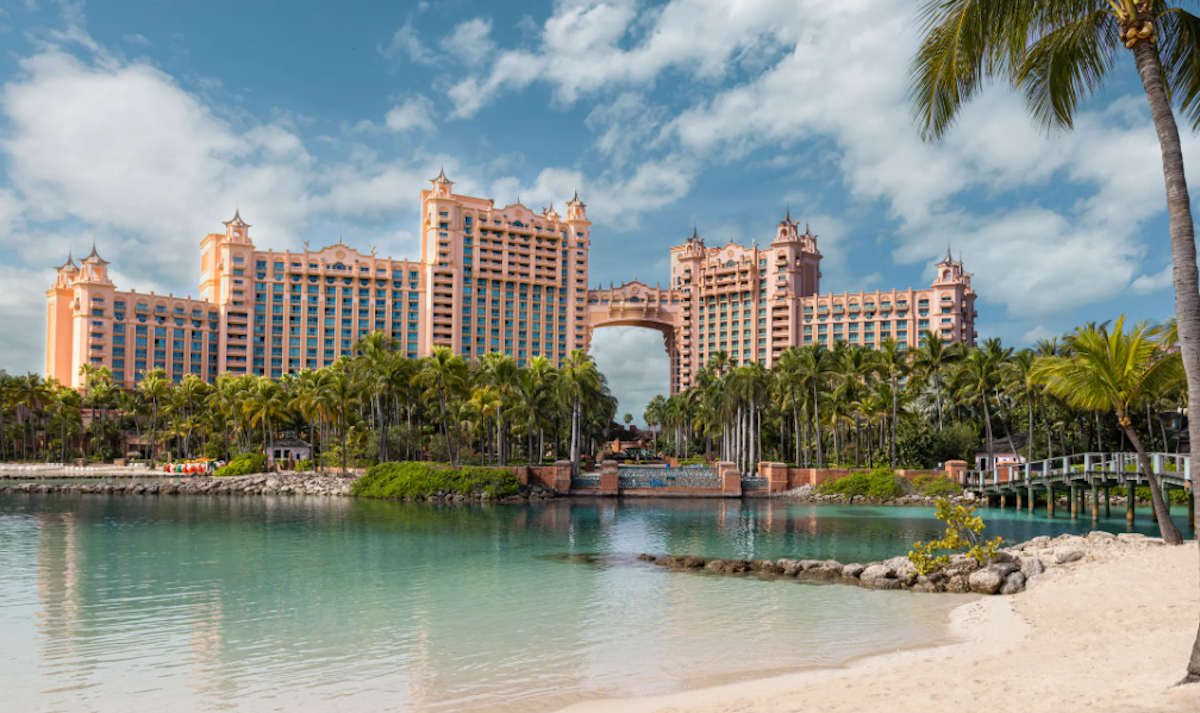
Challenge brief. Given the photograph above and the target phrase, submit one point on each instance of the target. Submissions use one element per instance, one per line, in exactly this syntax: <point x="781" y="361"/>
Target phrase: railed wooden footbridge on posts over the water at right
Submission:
<point x="1084" y="478"/>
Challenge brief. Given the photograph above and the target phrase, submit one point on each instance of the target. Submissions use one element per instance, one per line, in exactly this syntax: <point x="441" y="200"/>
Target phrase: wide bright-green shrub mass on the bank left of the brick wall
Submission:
<point x="422" y="481"/>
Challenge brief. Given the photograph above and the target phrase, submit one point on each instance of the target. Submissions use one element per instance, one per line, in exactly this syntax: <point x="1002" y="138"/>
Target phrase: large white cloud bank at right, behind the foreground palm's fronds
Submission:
<point x="849" y="65"/>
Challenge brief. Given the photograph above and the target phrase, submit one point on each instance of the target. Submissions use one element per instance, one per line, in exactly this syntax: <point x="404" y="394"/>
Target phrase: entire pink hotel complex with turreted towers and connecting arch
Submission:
<point x="489" y="280"/>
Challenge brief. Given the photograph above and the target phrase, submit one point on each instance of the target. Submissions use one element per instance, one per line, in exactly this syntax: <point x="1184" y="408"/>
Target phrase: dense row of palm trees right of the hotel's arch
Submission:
<point x="854" y="406"/>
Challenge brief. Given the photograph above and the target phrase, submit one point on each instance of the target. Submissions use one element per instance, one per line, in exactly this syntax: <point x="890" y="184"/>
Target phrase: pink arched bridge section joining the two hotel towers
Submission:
<point x="637" y="304"/>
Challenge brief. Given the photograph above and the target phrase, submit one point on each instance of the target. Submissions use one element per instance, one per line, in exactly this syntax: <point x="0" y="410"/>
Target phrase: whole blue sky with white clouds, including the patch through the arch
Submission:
<point x="143" y="124"/>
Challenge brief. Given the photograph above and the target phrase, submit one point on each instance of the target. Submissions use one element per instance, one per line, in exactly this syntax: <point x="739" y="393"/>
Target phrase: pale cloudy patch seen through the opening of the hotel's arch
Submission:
<point x="635" y="362"/>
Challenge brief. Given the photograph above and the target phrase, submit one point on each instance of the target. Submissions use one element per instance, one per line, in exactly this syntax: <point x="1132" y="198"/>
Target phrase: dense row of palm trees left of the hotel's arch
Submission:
<point x="377" y="405"/>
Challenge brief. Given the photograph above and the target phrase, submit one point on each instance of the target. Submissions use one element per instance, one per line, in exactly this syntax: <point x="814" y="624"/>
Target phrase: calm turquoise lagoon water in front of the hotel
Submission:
<point x="128" y="604"/>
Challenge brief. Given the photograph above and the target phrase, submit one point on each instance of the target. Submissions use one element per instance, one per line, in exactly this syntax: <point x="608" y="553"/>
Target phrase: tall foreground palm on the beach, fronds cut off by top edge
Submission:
<point x="1059" y="52"/>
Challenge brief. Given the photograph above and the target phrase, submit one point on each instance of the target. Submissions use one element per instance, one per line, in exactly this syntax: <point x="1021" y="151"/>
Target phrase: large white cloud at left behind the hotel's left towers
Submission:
<point x="119" y="153"/>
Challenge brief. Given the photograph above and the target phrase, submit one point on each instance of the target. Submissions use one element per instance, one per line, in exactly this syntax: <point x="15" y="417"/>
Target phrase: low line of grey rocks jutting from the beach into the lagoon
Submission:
<point x="1011" y="572"/>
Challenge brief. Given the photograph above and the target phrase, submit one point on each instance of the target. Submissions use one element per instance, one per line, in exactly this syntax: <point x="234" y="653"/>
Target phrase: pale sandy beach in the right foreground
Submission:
<point x="1108" y="634"/>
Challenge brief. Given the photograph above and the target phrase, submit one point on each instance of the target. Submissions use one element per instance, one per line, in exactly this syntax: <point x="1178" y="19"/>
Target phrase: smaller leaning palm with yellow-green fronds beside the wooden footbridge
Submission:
<point x="1114" y="370"/>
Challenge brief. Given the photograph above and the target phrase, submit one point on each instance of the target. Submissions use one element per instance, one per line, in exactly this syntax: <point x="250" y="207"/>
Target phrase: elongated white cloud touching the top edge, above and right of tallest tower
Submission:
<point x="591" y="45"/>
